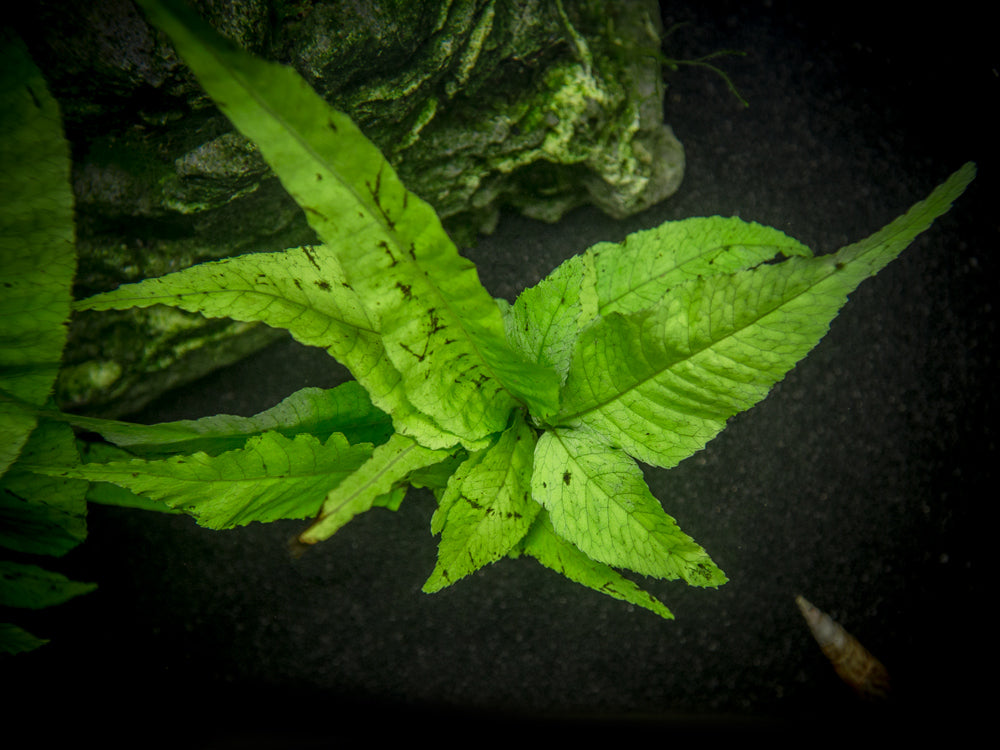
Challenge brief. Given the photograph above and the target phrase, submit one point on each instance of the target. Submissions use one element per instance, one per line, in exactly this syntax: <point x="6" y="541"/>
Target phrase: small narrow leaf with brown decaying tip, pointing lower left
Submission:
<point x="388" y="468"/>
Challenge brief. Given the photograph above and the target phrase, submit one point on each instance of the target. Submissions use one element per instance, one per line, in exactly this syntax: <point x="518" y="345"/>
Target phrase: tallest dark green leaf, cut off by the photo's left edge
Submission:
<point x="37" y="250"/>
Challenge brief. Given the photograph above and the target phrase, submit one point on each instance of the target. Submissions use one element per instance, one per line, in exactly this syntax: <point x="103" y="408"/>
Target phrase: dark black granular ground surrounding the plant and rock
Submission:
<point x="861" y="482"/>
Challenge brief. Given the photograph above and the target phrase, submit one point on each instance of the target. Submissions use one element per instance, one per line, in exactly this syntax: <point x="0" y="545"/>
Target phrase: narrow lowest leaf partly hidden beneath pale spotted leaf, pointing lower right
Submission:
<point x="543" y="544"/>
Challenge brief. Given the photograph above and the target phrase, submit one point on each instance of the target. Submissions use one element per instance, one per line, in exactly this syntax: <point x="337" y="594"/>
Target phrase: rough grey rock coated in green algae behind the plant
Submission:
<point x="479" y="104"/>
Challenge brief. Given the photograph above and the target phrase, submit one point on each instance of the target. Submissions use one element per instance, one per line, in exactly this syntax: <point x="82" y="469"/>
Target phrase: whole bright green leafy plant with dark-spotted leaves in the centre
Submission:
<point x="526" y="420"/>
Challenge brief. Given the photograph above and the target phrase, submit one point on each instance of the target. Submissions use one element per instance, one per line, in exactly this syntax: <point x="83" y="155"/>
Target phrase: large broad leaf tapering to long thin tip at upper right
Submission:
<point x="661" y="382"/>
